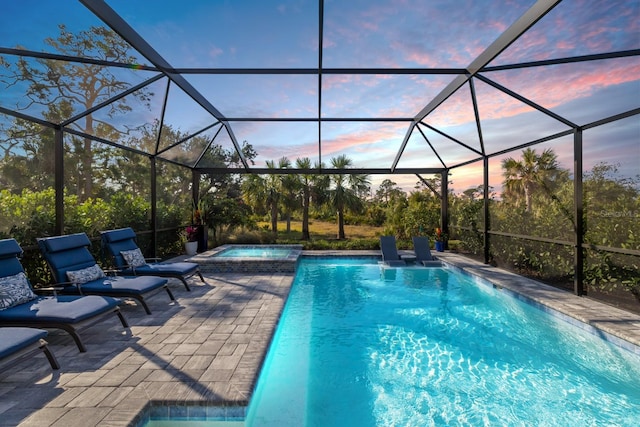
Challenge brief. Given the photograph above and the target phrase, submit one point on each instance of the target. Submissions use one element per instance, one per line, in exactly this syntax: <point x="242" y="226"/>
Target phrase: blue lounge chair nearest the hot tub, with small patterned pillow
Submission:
<point x="121" y="246"/>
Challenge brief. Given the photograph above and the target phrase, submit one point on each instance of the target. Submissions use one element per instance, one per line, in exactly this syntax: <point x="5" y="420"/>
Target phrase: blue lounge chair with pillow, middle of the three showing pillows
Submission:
<point x="76" y="270"/>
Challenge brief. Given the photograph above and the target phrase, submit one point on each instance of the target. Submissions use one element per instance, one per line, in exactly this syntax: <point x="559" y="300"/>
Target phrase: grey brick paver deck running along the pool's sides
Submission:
<point x="207" y="347"/>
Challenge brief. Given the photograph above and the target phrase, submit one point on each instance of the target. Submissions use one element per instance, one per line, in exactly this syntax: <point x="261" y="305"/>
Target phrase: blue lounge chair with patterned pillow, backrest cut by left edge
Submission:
<point x="21" y="306"/>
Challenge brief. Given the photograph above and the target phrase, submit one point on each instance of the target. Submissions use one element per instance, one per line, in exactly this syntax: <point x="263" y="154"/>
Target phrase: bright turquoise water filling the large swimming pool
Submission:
<point x="358" y="346"/>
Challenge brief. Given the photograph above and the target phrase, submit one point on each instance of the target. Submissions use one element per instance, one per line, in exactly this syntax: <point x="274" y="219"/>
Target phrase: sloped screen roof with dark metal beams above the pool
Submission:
<point x="398" y="87"/>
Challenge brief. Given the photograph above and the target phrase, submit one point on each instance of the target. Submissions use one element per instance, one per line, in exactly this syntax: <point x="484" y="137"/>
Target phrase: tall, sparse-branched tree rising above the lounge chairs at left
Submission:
<point x="67" y="88"/>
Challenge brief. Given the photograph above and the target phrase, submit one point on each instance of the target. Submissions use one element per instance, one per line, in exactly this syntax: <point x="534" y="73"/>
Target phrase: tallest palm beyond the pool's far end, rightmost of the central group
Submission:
<point x="346" y="190"/>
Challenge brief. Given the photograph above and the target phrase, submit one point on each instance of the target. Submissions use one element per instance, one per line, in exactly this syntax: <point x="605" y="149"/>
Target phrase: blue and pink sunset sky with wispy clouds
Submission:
<point x="378" y="34"/>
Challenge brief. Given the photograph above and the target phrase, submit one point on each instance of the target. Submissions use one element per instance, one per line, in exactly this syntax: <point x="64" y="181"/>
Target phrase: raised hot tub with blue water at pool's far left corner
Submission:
<point x="249" y="259"/>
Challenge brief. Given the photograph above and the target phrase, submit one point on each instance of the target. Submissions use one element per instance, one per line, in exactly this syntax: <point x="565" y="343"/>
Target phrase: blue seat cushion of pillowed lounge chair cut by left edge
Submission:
<point x="61" y="309"/>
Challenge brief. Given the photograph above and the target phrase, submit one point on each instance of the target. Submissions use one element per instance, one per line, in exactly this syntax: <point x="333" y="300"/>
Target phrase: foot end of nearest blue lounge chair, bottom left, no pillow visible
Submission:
<point x="18" y="344"/>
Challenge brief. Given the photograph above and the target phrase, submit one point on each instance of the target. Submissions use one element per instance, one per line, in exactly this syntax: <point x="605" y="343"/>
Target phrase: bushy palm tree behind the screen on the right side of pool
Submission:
<point x="523" y="177"/>
